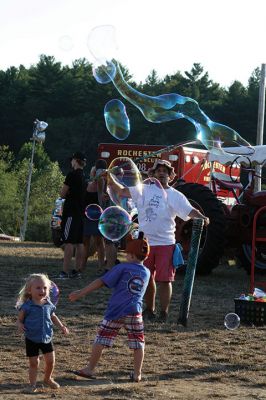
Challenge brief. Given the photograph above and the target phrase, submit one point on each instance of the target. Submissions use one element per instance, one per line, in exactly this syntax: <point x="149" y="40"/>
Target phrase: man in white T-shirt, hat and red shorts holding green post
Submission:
<point x="157" y="209"/>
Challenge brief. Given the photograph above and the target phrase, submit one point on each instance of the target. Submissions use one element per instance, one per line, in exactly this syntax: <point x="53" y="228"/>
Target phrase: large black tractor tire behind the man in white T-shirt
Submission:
<point x="212" y="240"/>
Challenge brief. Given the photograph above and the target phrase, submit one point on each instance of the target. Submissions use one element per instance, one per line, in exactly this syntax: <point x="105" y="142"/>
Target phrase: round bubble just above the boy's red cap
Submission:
<point x="114" y="223"/>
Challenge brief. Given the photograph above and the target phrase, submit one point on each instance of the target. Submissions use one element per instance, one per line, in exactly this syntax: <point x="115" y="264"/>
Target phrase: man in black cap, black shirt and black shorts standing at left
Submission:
<point x="73" y="192"/>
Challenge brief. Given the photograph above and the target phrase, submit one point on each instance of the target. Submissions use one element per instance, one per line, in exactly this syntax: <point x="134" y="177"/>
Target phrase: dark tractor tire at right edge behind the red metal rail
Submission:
<point x="260" y="256"/>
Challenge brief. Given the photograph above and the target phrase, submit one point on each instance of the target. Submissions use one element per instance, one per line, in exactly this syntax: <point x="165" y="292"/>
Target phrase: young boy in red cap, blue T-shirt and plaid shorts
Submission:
<point x="129" y="282"/>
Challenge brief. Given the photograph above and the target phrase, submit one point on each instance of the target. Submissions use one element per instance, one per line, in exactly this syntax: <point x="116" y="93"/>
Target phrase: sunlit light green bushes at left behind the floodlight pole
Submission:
<point x="46" y="181"/>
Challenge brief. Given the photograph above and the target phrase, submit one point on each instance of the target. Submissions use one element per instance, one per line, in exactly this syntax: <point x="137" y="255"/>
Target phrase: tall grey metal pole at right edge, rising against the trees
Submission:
<point x="260" y="126"/>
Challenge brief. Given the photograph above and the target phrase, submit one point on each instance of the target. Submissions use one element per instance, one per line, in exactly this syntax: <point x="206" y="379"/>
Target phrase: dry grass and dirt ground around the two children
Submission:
<point x="202" y="361"/>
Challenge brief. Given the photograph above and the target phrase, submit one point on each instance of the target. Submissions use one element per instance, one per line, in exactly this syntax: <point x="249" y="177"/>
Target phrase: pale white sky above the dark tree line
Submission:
<point x="228" y="37"/>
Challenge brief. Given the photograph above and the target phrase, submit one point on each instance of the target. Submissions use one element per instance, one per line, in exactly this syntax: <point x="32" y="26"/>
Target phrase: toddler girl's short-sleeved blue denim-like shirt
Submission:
<point x="37" y="321"/>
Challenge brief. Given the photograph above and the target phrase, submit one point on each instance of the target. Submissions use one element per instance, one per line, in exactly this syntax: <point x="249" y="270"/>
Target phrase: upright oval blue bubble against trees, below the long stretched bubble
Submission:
<point x="116" y="119"/>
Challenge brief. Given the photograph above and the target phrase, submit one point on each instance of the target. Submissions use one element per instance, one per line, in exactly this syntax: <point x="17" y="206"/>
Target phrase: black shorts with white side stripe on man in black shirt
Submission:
<point x="72" y="229"/>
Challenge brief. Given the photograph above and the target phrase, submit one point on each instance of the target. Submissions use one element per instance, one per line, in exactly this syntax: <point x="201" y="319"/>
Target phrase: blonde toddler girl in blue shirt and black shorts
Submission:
<point x="35" y="319"/>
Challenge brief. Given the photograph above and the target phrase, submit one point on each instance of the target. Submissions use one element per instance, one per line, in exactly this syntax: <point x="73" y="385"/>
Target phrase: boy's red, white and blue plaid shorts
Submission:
<point x="108" y="330"/>
